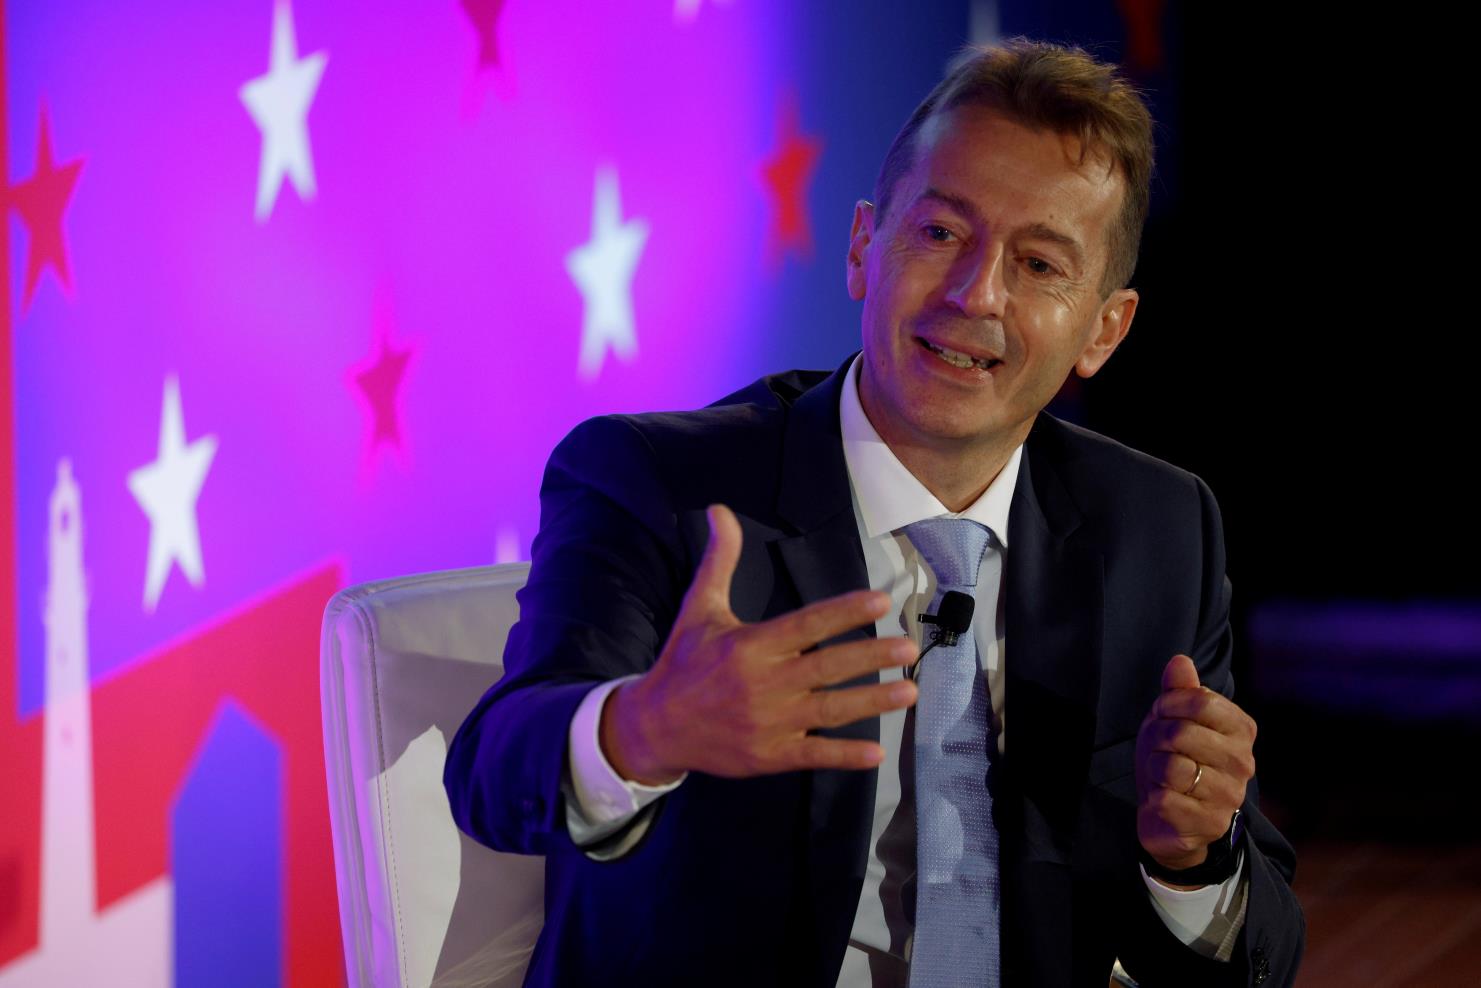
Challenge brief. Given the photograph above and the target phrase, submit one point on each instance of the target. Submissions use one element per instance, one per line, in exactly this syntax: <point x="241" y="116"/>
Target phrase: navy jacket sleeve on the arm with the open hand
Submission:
<point x="606" y="578"/>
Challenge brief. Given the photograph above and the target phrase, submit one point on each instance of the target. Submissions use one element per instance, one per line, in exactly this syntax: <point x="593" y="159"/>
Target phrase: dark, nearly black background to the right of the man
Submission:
<point x="1304" y="344"/>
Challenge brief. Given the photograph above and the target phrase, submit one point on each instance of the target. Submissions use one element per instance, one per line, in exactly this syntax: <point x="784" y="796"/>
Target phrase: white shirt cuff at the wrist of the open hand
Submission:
<point x="605" y="801"/>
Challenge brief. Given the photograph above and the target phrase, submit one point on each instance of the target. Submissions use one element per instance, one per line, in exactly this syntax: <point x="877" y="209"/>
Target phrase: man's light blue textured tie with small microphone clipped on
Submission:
<point x="957" y="898"/>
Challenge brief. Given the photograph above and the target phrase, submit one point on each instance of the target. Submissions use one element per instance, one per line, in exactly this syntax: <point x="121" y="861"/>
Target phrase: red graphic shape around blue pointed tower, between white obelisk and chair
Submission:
<point x="150" y="719"/>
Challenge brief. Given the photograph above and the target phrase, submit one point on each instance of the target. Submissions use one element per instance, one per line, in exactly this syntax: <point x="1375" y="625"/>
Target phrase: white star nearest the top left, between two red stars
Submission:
<point x="279" y="104"/>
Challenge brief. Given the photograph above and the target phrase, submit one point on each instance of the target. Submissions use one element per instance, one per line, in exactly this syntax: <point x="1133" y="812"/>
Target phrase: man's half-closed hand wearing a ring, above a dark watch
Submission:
<point x="1189" y="728"/>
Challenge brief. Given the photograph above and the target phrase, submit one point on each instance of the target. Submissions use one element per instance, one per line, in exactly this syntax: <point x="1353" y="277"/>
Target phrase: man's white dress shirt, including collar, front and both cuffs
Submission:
<point x="886" y="498"/>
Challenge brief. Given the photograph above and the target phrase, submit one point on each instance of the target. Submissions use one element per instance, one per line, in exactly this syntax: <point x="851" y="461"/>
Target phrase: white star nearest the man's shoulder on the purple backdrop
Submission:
<point x="604" y="270"/>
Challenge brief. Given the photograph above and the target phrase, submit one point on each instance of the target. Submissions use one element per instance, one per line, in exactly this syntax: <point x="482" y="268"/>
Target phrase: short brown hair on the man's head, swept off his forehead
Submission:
<point x="1048" y="88"/>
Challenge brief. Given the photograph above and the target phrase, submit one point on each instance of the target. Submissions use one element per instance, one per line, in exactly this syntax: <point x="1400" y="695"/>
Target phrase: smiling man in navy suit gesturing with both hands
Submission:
<point x="704" y="724"/>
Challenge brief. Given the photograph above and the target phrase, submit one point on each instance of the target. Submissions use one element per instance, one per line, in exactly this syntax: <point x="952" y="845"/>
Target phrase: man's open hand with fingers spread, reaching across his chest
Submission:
<point x="738" y="700"/>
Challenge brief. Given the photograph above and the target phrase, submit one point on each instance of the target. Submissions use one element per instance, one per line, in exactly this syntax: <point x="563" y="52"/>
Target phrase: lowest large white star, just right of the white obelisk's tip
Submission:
<point x="167" y="491"/>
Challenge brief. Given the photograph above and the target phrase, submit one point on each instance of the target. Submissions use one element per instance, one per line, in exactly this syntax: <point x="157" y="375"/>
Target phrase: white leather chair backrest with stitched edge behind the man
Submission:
<point x="402" y="663"/>
